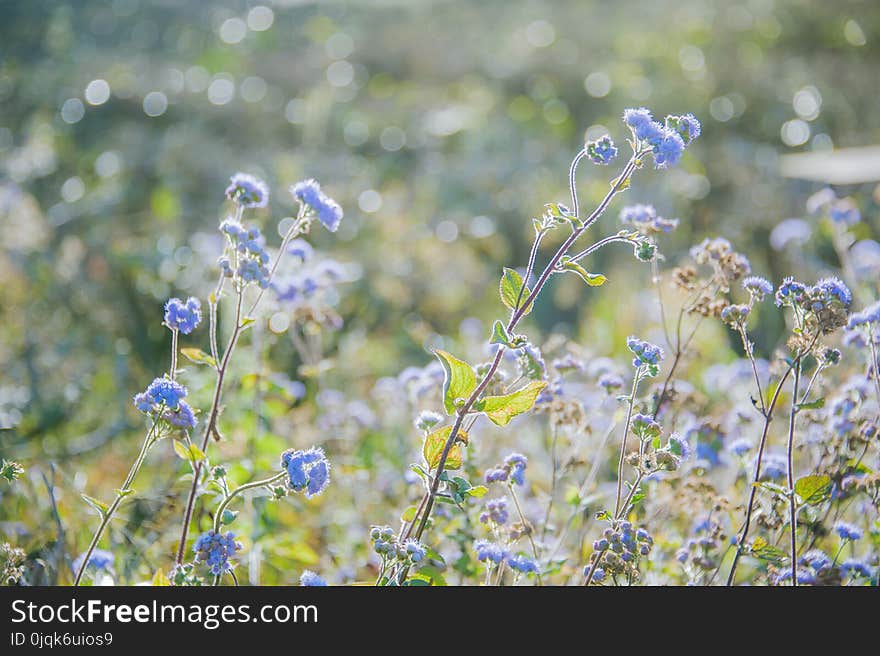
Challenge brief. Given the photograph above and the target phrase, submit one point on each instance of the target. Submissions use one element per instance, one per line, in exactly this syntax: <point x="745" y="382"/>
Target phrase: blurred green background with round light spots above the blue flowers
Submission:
<point x="440" y="127"/>
